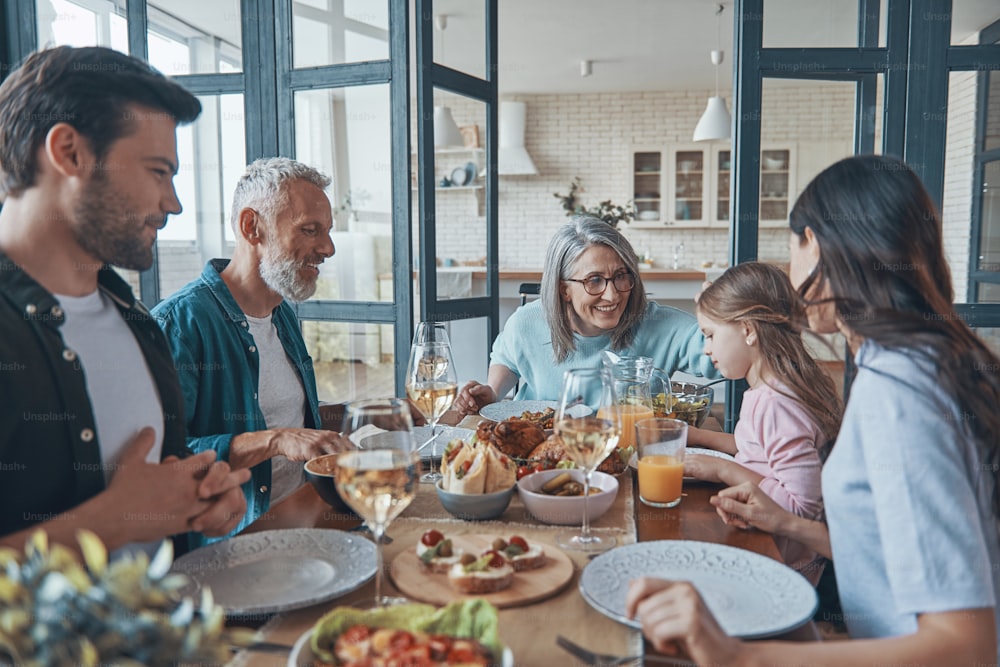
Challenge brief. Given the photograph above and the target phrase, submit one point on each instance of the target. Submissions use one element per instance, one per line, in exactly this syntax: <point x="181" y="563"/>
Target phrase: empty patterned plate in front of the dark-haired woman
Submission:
<point x="749" y="594"/>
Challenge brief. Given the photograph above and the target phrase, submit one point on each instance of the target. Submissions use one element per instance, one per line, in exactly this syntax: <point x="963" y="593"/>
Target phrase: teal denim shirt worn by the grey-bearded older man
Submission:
<point x="219" y="368"/>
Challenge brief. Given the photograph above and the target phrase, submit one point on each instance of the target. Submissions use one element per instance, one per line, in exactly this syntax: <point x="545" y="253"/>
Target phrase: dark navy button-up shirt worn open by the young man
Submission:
<point x="50" y="456"/>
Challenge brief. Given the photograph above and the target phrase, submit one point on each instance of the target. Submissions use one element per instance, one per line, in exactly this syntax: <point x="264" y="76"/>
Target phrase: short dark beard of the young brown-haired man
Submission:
<point x="108" y="228"/>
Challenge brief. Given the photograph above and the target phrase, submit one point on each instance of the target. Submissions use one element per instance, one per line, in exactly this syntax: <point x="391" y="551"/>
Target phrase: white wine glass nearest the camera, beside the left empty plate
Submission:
<point x="378" y="480"/>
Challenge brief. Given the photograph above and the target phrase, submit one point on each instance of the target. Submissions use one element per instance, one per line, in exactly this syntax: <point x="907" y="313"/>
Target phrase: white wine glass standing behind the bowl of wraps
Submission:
<point x="431" y="380"/>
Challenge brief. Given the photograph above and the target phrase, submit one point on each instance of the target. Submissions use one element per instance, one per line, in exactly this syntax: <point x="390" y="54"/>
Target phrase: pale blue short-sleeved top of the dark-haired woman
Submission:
<point x="908" y="500"/>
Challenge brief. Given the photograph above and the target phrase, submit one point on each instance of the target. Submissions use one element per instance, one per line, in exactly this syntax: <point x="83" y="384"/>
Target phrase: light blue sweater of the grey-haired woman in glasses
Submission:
<point x="668" y="335"/>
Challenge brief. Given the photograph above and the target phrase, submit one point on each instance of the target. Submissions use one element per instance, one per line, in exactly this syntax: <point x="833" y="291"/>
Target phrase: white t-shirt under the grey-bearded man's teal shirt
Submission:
<point x="282" y="400"/>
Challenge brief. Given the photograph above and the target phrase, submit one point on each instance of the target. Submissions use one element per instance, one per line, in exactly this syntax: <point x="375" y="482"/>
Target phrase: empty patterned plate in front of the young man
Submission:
<point x="278" y="570"/>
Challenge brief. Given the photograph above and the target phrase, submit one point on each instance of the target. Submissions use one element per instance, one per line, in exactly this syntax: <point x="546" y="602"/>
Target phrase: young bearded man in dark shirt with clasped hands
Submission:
<point x="91" y="431"/>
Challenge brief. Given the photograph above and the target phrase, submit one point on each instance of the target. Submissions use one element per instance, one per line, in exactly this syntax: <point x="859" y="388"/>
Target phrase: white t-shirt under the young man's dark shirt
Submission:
<point x="122" y="392"/>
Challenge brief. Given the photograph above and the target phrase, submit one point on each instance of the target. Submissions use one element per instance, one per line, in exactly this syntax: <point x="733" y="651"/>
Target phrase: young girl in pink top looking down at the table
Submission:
<point x="752" y="321"/>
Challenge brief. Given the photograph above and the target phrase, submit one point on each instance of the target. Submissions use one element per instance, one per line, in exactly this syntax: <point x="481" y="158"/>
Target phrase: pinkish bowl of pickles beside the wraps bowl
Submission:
<point x="556" y="496"/>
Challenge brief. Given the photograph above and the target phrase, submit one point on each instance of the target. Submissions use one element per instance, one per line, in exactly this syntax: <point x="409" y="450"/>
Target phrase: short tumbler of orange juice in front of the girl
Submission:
<point x="660" y="448"/>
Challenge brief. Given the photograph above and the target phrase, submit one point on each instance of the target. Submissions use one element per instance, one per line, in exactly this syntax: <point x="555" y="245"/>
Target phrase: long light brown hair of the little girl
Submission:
<point x="761" y="296"/>
